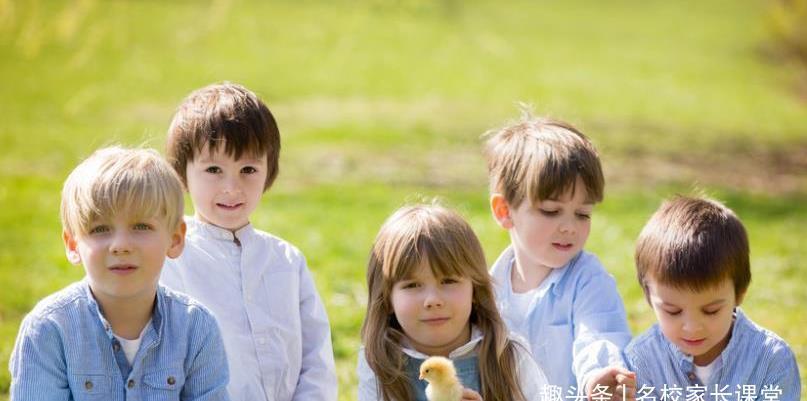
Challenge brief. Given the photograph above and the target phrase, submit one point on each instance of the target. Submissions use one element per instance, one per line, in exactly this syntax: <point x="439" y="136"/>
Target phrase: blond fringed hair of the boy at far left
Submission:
<point x="116" y="180"/>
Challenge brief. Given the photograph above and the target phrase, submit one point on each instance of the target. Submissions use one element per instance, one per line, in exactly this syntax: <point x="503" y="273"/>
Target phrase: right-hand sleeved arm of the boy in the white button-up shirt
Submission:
<point x="317" y="379"/>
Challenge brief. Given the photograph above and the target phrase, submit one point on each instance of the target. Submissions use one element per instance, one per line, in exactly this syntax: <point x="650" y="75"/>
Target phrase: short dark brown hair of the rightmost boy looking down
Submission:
<point x="694" y="243"/>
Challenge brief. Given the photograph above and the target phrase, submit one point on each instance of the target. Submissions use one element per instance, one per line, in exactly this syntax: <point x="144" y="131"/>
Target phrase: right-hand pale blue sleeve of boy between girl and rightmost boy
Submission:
<point x="600" y="326"/>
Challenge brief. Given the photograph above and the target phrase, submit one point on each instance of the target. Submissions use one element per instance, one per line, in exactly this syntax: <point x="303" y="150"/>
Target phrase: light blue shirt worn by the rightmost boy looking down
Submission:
<point x="754" y="357"/>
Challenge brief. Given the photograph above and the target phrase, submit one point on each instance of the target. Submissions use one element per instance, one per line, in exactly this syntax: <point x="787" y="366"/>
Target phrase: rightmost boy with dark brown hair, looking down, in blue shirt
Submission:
<point x="692" y="261"/>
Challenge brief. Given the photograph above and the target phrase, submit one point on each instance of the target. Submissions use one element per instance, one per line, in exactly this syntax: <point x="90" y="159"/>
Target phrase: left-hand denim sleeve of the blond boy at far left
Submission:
<point x="37" y="365"/>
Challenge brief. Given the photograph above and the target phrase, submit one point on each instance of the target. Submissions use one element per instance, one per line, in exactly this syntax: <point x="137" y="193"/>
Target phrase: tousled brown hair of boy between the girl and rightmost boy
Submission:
<point x="539" y="158"/>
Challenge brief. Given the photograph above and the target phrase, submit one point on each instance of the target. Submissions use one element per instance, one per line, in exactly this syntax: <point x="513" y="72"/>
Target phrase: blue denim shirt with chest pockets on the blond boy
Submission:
<point x="65" y="350"/>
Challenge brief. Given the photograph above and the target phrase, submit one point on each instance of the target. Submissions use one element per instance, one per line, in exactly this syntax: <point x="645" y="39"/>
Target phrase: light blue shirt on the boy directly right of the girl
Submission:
<point x="575" y="323"/>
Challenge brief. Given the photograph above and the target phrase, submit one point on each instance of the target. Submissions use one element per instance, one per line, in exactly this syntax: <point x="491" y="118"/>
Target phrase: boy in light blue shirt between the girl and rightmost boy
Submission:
<point x="545" y="178"/>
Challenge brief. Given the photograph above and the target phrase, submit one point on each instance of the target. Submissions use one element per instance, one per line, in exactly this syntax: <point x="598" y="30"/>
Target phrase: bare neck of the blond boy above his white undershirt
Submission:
<point x="126" y="317"/>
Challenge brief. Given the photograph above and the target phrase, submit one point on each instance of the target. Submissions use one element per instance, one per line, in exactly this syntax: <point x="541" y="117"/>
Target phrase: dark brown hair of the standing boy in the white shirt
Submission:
<point x="223" y="113"/>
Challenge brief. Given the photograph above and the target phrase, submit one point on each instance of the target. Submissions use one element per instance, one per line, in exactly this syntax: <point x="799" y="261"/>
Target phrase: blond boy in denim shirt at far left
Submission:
<point x="117" y="335"/>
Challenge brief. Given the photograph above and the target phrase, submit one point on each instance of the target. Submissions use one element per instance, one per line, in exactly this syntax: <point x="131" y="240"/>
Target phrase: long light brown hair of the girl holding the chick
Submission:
<point x="435" y="235"/>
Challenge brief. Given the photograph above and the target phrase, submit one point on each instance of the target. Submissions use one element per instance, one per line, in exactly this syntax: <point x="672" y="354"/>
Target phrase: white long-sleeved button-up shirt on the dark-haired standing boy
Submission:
<point x="273" y="323"/>
